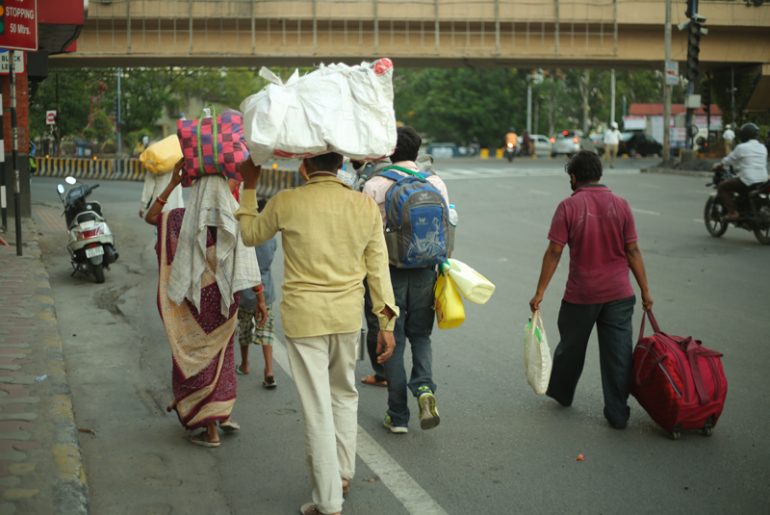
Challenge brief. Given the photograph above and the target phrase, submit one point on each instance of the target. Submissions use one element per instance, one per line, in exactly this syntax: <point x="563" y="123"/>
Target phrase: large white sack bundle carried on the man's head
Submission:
<point x="339" y="108"/>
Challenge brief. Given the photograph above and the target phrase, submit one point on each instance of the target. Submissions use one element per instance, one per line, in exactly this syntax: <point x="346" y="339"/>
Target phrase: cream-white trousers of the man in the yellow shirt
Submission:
<point x="324" y="373"/>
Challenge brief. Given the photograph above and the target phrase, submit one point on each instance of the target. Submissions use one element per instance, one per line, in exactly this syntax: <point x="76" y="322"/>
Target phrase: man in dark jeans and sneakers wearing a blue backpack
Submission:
<point x="413" y="288"/>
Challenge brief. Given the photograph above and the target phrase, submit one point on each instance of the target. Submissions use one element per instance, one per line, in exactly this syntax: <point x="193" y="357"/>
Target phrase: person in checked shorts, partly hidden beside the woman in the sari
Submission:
<point x="250" y="332"/>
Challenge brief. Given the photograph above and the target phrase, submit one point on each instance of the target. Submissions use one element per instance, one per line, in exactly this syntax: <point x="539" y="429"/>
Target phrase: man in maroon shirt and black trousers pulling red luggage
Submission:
<point x="599" y="228"/>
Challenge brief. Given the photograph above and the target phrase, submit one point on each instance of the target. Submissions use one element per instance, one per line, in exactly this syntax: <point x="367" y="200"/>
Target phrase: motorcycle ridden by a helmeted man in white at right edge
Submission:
<point x="753" y="209"/>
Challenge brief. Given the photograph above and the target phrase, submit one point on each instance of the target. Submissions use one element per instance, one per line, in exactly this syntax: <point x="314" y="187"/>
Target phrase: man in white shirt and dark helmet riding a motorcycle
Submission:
<point x="749" y="159"/>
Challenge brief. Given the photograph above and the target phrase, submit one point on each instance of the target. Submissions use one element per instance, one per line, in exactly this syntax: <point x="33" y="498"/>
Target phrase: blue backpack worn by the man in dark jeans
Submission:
<point x="417" y="221"/>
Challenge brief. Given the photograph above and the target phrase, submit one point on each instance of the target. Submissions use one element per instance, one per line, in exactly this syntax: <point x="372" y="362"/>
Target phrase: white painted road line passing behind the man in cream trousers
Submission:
<point x="393" y="476"/>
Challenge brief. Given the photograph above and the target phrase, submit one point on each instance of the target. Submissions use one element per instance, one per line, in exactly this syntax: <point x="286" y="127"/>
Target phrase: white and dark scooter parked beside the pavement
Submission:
<point x="91" y="244"/>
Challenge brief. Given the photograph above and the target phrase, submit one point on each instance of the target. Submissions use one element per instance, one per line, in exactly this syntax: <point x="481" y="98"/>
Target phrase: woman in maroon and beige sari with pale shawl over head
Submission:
<point x="203" y="264"/>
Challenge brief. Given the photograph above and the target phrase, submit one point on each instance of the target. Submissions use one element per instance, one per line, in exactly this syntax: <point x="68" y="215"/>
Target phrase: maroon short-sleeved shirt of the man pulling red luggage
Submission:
<point x="596" y="224"/>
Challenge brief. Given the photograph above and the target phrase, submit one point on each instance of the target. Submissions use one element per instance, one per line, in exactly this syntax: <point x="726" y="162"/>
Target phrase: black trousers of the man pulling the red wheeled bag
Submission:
<point x="613" y="325"/>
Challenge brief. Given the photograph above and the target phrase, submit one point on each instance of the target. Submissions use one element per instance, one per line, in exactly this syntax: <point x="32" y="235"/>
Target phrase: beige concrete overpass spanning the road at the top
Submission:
<point x="531" y="33"/>
